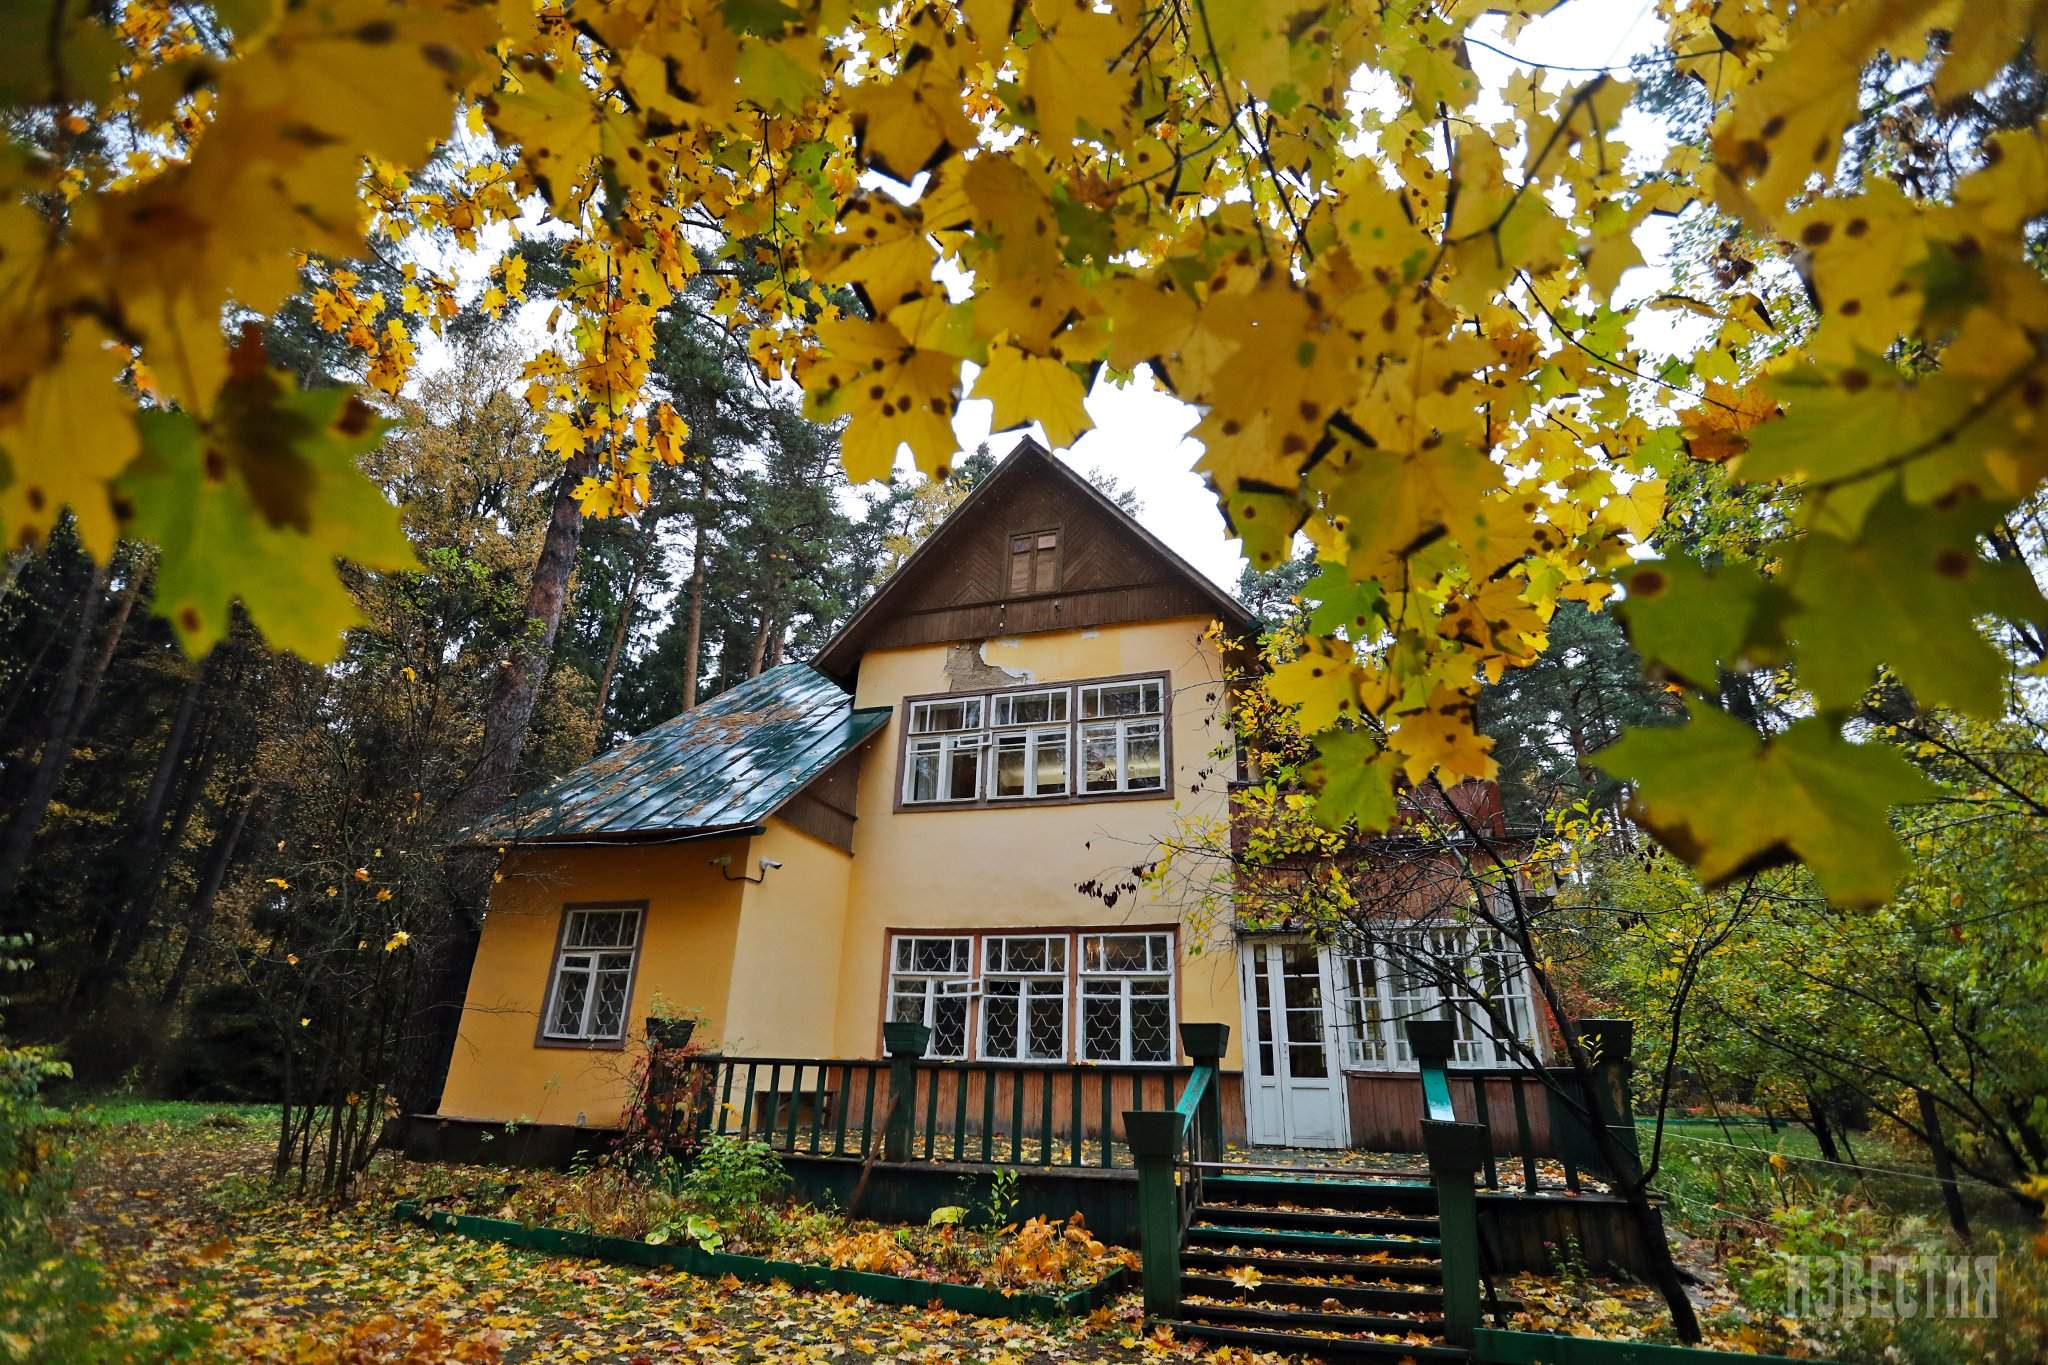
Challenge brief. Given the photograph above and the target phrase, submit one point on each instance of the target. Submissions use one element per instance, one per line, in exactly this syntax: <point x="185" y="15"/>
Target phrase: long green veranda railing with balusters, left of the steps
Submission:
<point x="912" y="1110"/>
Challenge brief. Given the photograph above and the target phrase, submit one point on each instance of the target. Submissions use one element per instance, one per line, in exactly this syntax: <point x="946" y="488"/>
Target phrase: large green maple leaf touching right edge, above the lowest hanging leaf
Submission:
<point x="1908" y="592"/>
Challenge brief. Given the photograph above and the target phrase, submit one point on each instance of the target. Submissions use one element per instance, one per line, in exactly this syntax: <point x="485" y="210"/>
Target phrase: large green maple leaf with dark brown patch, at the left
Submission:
<point x="261" y="504"/>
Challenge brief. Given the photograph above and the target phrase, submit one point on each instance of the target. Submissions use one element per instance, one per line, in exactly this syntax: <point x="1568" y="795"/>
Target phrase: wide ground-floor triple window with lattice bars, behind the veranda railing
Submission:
<point x="1039" y="998"/>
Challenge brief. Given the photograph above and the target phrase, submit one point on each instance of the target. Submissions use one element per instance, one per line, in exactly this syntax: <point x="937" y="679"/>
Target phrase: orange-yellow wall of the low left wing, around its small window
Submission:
<point x="687" y="951"/>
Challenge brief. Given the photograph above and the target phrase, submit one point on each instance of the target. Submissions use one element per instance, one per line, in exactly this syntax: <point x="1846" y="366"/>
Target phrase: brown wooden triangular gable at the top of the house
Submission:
<point x="957" y="584"/>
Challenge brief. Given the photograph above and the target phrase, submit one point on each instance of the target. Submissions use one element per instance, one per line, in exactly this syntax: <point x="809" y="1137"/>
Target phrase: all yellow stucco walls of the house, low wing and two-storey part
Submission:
<point x="796" y="965"/>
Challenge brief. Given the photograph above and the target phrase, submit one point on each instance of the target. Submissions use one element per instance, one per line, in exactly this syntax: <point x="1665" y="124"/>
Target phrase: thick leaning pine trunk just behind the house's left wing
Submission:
<point x="443" y="979"/>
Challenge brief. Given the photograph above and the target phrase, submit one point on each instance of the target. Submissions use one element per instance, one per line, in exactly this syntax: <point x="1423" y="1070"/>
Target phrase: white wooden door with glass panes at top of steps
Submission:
<point x="1293" y="1084"/>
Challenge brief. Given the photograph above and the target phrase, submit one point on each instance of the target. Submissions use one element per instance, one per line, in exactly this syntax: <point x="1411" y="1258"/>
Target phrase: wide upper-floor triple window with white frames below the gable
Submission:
<point x="1037" y="744"/>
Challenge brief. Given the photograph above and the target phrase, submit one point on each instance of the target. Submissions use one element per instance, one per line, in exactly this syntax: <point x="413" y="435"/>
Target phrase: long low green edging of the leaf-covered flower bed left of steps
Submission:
<point x="757" y="1270"/>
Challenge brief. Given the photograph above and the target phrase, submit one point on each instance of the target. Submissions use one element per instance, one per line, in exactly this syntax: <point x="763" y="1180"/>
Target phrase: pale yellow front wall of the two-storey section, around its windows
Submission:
<point x="1019" y="867"/>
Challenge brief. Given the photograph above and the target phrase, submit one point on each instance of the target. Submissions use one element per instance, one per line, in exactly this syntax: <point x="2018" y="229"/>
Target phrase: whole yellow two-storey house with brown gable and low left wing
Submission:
<point x="937" y="822"/>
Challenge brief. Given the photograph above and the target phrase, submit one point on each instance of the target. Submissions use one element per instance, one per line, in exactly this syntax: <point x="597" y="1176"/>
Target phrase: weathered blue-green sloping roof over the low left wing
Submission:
<point x="720" y="768"/>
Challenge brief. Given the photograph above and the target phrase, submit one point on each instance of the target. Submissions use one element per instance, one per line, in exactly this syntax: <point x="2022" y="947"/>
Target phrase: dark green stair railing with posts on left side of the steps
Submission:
<point x="1170" y="1149"/>
